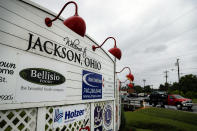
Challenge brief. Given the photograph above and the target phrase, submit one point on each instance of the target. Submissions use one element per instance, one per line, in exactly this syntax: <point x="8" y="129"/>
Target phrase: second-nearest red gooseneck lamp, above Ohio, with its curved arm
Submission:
<point x="114" y="51"/>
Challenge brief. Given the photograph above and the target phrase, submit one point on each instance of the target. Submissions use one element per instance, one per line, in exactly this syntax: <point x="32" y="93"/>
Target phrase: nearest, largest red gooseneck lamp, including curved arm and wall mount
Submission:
<point x="75" y="23"/>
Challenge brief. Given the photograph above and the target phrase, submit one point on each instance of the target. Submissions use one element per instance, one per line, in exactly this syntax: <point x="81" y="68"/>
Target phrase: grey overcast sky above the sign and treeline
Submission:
<point x="151" y="34"/>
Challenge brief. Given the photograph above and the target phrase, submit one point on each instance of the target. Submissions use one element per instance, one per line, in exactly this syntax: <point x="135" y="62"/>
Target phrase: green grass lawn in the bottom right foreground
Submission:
<point x="159" y="119"/>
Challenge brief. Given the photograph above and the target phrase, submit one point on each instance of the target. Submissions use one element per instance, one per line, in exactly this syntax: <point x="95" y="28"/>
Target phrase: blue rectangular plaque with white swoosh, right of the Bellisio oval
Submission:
<point x="91" y="85"/>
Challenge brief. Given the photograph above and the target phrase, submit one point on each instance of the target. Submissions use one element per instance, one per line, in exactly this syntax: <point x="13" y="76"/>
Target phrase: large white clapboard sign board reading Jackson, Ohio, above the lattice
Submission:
<point x="41" y="64"/>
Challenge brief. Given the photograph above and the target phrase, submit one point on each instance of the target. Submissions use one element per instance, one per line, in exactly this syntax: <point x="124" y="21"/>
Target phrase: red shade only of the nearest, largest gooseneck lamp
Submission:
<point x="76" y="24"/>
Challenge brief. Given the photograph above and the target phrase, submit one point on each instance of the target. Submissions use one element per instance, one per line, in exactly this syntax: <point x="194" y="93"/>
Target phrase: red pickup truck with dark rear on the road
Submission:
<point x="162" y="98"/>
